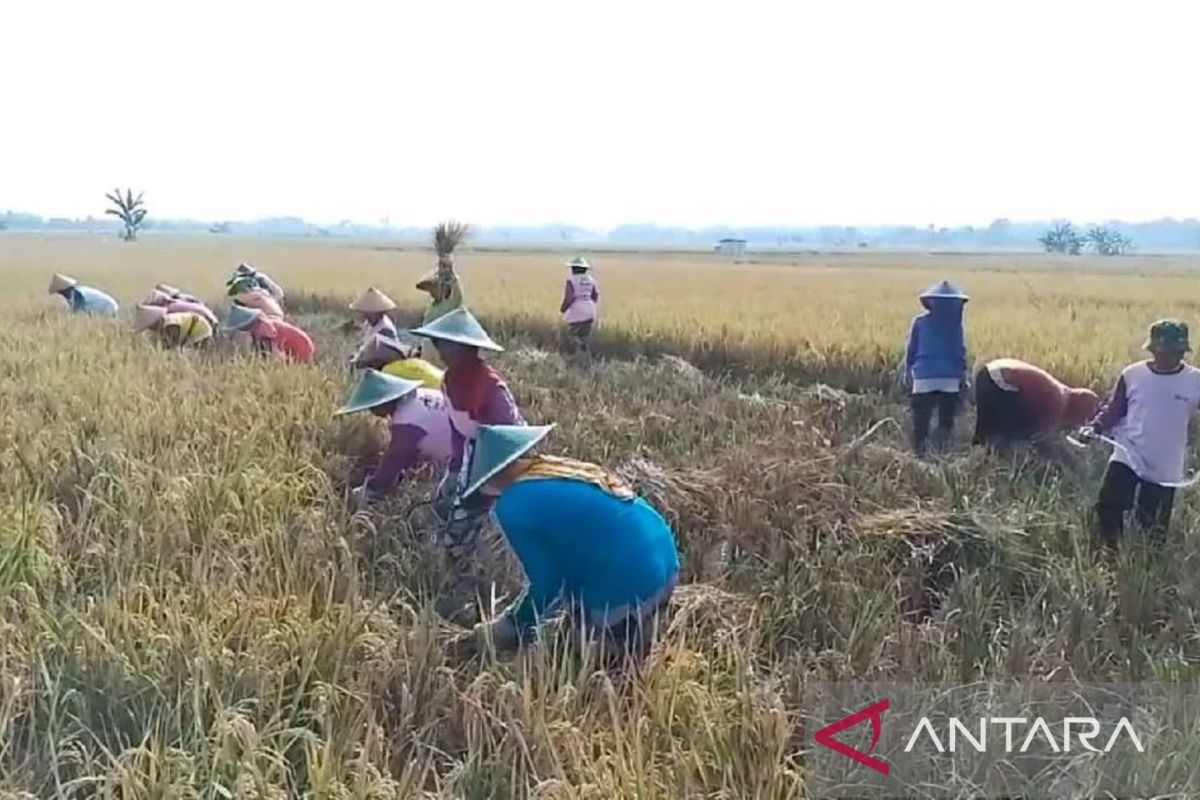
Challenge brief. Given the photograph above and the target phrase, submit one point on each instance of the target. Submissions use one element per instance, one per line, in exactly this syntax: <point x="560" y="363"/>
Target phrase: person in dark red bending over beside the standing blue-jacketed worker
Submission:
<point x="1019" y="402"/>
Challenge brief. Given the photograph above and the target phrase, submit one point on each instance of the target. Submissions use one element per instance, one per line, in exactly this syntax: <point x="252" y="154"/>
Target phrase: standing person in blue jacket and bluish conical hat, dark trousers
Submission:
<point x="937" y="364"/>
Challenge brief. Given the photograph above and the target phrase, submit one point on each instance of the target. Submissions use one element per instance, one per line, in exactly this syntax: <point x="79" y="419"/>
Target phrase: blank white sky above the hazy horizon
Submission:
<point x="608" y="112"/>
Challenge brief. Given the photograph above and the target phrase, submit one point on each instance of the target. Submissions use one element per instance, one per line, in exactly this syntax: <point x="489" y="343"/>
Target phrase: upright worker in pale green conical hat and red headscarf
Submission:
<point x="477" y="395"/>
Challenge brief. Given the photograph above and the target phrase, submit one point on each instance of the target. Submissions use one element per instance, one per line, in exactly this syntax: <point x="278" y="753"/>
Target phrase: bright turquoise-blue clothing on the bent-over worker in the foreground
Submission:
<point x="583" y="548"/>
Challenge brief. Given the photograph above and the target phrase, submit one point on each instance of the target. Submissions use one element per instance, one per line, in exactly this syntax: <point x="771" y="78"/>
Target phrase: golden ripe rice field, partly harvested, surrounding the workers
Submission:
<point x="189" y="610"/>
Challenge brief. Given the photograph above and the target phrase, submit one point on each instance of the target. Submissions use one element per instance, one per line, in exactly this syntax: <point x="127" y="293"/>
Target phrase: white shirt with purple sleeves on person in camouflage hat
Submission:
<point x="1149" y="416"/>
